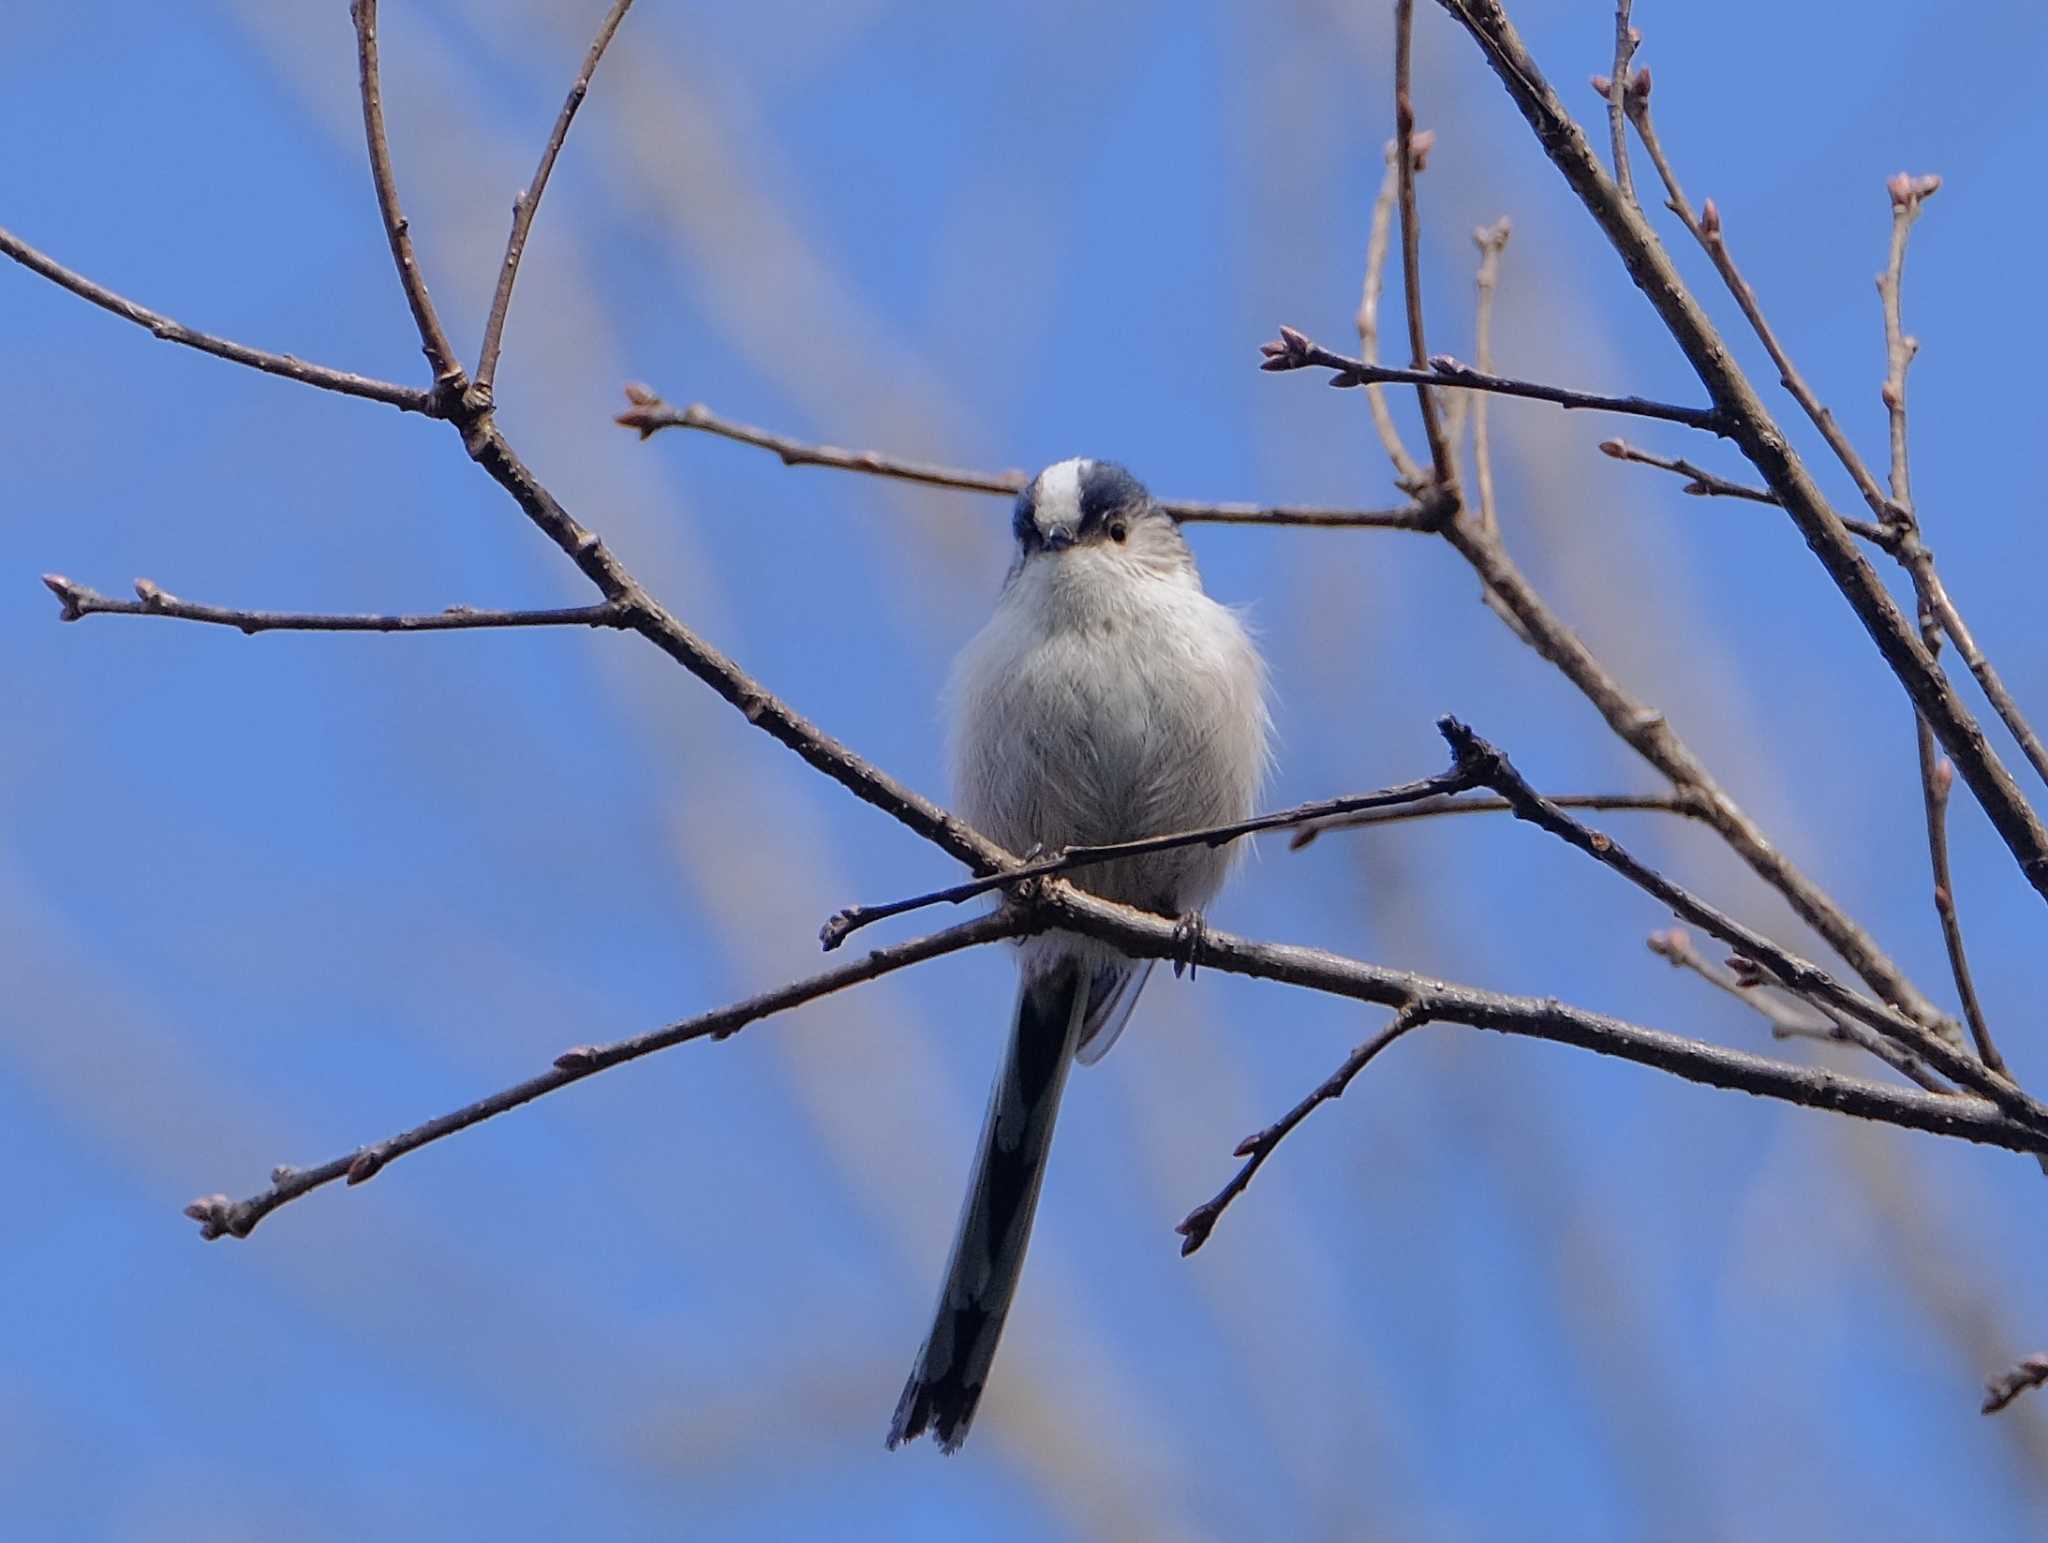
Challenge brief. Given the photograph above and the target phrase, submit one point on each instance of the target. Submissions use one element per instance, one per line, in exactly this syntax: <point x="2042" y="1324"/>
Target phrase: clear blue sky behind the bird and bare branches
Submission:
<point x="263" y="901"/>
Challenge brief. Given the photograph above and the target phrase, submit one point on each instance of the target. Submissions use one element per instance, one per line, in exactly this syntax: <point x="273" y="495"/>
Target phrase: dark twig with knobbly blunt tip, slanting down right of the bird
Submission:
<point x="1799" y="976"/>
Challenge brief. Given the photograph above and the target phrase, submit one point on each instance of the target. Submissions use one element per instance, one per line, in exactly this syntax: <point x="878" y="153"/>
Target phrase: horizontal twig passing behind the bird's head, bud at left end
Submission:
<point x="652" y="415"/>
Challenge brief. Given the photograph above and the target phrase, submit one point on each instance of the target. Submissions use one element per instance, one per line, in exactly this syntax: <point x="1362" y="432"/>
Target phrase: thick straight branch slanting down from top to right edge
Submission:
<point x="1760" y="440"/>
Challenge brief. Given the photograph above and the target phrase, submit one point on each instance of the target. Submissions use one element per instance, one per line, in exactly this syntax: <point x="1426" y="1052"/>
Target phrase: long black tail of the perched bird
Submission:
<point x="988" y="1251"/>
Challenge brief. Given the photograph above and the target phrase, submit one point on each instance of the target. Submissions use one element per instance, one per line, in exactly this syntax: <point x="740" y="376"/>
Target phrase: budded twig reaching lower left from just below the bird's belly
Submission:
<point x="222" y="1218"/>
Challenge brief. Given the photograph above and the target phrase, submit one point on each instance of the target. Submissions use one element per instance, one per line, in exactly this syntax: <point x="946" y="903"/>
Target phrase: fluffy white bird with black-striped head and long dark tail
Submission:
<point x="1107" y="700"/>
